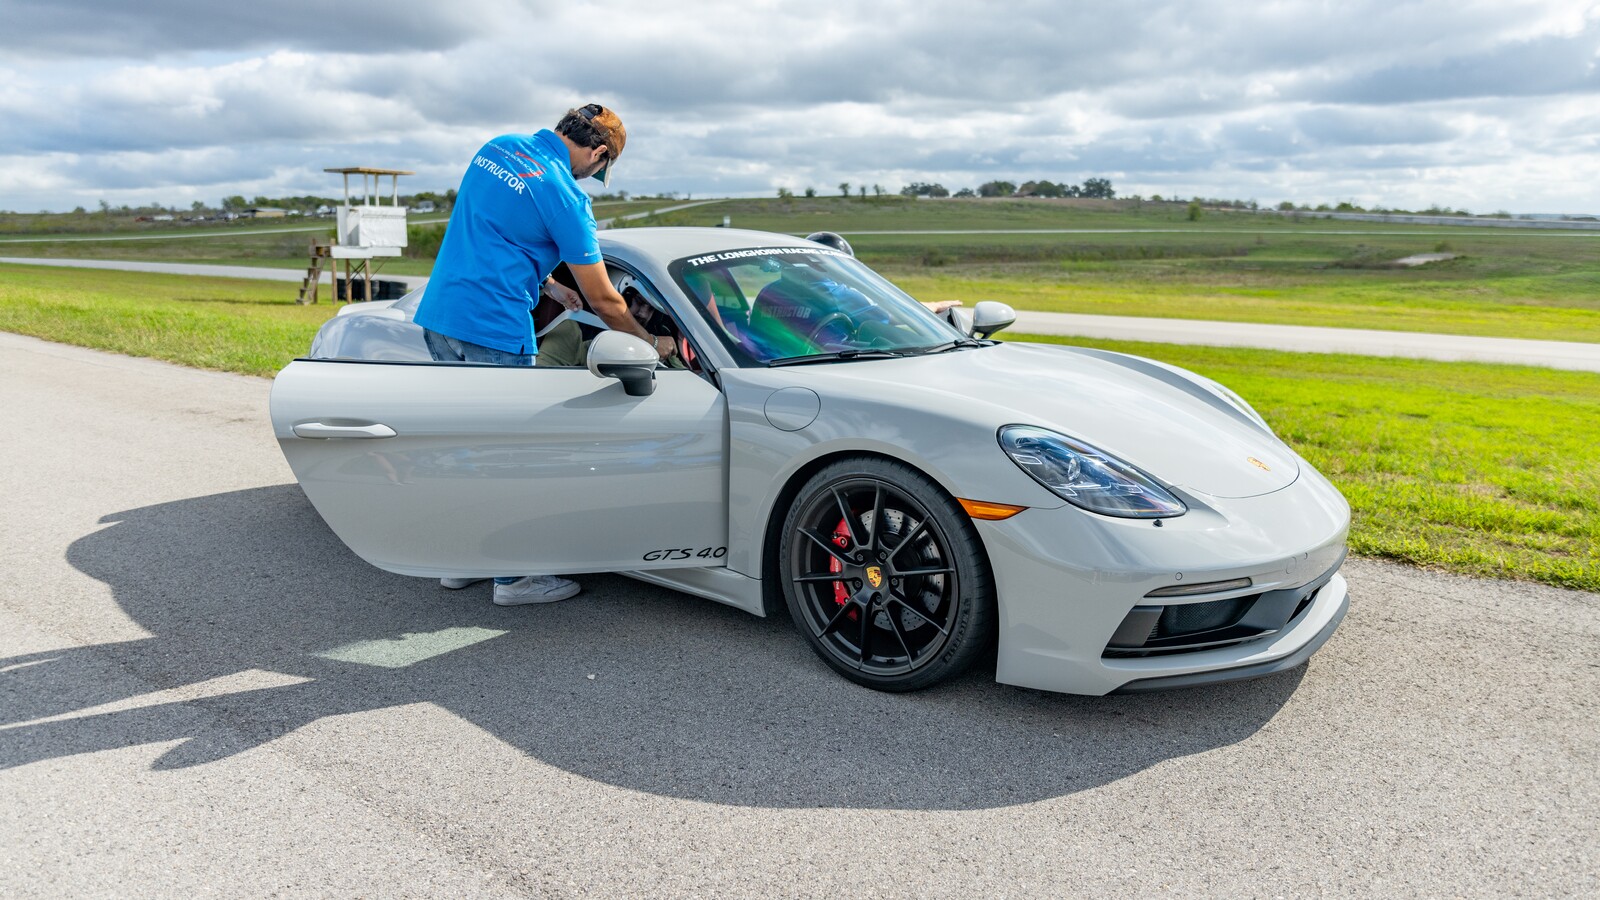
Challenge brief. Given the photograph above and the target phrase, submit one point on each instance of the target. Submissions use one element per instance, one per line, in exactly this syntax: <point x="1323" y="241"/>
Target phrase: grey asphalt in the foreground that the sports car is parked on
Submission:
<point x="204" y="693"/>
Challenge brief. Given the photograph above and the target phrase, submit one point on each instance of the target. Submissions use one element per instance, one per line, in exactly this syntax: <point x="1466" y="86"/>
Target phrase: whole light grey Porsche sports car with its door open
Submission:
<point x="916" y="497"/>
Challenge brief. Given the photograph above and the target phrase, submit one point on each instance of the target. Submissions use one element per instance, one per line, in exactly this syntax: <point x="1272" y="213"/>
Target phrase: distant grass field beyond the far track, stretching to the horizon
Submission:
<point x="1143" y="260"/>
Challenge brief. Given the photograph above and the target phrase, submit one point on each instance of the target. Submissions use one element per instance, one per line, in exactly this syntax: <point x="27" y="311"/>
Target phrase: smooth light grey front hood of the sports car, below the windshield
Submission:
<point x="1156" y="417"/>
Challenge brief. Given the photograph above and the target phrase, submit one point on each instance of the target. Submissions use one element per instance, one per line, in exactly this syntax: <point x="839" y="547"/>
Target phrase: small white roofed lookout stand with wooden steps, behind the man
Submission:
<point x="367" y="230"/>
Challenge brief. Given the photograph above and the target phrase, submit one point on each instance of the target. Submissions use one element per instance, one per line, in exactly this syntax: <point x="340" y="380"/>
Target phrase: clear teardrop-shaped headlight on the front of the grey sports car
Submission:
<point x="1086" y="476"/>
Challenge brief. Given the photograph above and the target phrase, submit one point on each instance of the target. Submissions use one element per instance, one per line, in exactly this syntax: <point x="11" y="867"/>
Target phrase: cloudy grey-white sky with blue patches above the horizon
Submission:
<point x="1482" y="105"/>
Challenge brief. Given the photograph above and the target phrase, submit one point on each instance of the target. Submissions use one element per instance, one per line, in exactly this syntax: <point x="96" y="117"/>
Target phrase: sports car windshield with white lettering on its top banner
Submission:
<point x="778" y="303"/>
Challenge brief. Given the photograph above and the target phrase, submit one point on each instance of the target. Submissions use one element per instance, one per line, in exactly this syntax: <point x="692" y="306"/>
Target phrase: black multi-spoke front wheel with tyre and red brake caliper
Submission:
<point x="886" y="576"/>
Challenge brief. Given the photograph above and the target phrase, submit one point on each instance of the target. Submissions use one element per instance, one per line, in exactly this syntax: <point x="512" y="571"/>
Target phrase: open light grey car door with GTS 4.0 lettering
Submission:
<point x="449" y="470"/>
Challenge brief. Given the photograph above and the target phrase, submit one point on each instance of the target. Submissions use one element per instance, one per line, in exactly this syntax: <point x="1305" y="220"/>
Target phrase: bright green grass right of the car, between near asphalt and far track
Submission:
<point x="1484" y="470"/>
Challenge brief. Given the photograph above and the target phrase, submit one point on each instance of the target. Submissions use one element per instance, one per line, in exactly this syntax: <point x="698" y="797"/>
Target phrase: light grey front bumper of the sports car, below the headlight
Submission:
<point x="1068" y="582"/>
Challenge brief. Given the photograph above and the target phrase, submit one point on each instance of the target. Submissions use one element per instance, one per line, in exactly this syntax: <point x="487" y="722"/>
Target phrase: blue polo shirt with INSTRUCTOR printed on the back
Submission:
<point x="519" y="214"/>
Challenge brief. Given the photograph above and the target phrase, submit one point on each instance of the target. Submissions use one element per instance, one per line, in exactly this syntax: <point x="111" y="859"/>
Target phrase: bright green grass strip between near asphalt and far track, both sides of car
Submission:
<point x="1484" y="470"/>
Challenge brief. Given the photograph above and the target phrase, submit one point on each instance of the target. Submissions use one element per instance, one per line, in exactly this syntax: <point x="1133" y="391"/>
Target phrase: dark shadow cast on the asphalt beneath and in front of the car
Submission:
<point x="628" y="685"/>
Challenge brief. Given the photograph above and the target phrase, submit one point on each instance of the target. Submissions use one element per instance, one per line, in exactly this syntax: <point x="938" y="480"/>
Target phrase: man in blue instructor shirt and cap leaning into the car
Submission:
<point x="519" y="214"/>
